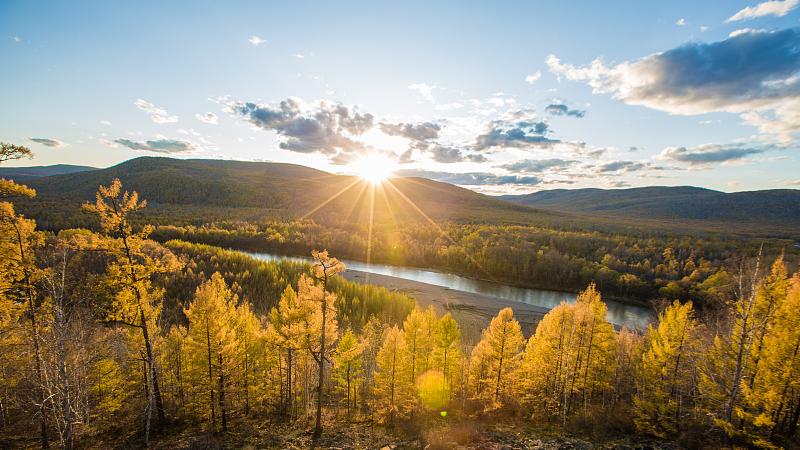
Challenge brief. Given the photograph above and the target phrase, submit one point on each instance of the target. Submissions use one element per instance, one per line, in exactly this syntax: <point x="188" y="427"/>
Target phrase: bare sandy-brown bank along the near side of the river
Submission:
<point x="472" y="311"/>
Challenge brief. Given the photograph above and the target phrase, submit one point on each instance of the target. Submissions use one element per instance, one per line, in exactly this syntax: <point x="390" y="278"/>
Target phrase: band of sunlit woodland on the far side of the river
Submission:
<point x="622" y="266"/>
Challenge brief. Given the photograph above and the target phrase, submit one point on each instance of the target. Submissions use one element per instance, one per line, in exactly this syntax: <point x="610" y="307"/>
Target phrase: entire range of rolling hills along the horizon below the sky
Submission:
<point x="197" y="191"/>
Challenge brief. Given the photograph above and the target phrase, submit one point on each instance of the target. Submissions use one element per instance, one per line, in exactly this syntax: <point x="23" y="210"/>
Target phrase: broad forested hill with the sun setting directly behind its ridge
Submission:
<point x="180" y="190"/>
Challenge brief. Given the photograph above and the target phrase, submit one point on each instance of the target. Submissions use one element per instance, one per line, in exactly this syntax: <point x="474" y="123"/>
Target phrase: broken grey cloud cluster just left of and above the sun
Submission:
<point x="327" y="128"/>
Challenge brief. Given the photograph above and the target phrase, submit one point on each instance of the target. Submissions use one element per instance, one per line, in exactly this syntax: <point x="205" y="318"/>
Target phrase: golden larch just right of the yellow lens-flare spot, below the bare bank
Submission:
<point x="500" y="348"/>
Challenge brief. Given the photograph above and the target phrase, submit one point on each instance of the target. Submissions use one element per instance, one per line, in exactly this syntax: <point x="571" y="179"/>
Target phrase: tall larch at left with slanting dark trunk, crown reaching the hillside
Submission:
<point x="135" y="260"/>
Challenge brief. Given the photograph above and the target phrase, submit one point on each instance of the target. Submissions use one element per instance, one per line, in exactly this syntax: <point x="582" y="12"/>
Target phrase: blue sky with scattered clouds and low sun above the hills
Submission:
<point x="498" y="97"/>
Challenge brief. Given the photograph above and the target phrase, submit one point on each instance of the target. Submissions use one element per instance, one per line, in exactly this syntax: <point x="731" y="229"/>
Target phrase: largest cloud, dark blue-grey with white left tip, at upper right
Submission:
<point x="753" y="73"/>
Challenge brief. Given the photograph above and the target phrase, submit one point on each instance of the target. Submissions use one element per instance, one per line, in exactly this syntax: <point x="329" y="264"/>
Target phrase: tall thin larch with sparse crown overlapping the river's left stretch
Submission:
<point x="325" y="267"/>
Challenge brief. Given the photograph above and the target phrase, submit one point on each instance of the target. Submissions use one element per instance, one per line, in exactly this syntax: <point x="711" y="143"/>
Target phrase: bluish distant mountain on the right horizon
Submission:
<point x="779" y="207"/>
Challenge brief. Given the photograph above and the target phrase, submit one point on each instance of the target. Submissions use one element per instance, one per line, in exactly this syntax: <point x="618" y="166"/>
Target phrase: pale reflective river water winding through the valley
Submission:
<point x="619" y="313"/>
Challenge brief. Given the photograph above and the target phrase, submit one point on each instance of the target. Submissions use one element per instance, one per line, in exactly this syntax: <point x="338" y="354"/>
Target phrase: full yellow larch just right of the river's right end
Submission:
<point x="666" y="379"/>
